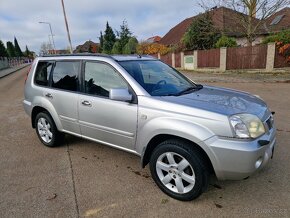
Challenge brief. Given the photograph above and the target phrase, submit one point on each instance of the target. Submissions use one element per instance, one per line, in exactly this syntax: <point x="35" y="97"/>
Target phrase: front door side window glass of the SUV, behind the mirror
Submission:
<point x="100" y="78"/>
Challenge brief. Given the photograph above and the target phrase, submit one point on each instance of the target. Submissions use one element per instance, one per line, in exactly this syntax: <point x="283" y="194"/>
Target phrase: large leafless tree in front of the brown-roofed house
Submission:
<point x="253" y="13"/>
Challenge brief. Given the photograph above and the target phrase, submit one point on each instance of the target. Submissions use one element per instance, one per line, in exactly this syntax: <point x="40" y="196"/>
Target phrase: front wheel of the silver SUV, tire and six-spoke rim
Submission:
<point x="179" y="170"/>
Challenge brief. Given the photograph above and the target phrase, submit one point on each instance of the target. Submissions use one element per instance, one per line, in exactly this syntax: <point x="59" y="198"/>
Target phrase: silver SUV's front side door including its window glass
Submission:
<point x="100" y="118"/>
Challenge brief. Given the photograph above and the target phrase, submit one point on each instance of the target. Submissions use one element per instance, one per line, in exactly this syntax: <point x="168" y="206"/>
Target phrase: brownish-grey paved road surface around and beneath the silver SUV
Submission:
<point x="85" y="179"/>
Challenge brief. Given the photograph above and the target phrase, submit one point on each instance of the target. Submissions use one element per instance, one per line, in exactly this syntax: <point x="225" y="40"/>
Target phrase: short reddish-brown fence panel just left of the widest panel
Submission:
<point x="208" y="58"/>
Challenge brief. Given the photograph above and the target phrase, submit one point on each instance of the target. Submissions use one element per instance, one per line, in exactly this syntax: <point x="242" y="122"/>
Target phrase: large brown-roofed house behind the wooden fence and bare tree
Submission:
<point x="228" y="22"/>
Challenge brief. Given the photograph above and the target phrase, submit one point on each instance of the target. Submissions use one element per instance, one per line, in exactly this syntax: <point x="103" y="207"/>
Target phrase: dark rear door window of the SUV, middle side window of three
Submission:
<point x="65" y="75"/>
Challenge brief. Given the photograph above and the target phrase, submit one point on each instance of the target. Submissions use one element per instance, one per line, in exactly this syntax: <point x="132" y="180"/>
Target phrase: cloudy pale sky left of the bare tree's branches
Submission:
<point x="87" y="18"/>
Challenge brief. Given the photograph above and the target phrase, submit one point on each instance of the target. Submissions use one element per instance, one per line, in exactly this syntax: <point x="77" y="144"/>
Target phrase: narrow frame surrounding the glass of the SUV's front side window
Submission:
<point x="82" y="82"/>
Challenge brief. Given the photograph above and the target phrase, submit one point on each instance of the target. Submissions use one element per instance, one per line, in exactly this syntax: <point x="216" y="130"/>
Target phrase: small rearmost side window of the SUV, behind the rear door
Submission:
<point x="42" y="73"/>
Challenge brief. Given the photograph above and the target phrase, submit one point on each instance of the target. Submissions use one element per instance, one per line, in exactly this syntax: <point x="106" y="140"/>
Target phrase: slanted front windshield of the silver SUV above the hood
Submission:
<point x="157" y="78"/>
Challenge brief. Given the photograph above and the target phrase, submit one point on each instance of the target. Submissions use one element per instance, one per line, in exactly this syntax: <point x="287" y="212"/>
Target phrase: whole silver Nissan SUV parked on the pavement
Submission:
<point x="138" y="104"/>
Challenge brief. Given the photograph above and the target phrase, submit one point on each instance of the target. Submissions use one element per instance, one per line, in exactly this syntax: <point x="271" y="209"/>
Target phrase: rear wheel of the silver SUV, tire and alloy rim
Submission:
<point x="46" y="130"/>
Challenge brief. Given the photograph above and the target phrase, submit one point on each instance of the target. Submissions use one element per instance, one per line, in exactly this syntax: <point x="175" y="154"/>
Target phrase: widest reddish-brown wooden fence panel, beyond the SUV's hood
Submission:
<point x="247" y="57"/>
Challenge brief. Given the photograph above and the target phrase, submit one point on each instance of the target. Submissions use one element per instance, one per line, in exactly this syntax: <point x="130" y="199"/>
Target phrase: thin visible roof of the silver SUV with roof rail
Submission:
<point x="114" y="57"/>
